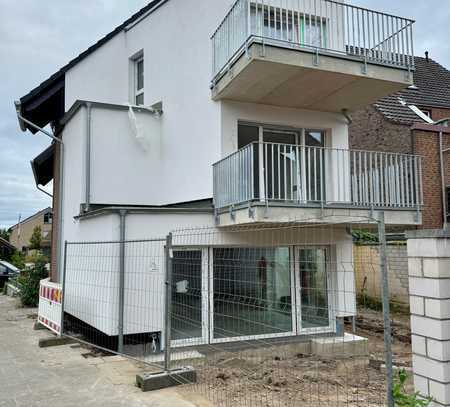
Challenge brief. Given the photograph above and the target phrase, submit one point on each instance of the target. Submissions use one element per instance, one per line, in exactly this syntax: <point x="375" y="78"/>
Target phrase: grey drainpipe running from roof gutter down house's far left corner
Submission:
<point x="22" y="122"/>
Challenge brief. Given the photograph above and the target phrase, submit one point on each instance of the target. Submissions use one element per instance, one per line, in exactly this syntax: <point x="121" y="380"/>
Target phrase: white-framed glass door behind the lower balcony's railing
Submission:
<point x="289" y="165"/>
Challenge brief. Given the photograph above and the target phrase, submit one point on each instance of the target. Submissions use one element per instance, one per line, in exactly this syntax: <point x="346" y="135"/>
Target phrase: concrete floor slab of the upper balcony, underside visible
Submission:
<point x="289" y="77"/>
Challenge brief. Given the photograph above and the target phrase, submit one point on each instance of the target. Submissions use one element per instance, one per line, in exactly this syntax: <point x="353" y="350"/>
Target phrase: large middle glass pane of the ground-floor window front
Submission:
<point x="252" y="293"/>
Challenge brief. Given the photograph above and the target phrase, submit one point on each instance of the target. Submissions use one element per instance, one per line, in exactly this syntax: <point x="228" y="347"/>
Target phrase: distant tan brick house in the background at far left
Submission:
<point x="21" y="232"/>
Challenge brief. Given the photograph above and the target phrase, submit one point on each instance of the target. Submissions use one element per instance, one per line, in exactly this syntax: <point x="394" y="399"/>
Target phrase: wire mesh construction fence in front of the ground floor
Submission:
<point x="267" y="316"/>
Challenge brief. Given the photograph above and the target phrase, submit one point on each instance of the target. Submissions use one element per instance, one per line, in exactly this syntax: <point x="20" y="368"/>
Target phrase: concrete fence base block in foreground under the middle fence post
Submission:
<point x="162" y="380"/>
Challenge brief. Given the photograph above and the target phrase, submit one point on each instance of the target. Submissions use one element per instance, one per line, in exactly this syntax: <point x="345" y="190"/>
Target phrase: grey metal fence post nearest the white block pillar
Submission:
<point x="386" y="309"/>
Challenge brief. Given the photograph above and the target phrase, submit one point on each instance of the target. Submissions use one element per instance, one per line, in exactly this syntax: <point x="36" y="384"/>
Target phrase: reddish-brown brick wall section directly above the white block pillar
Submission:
<point x="426" y="144"/>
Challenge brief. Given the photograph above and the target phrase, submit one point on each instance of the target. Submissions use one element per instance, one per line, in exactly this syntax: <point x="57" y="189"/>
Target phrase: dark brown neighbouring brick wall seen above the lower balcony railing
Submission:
<point x="371" y="131"/>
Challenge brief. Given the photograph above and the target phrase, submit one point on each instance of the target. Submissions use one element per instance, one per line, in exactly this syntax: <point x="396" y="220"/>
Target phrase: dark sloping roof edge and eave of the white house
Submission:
<point x="45" y="103"/>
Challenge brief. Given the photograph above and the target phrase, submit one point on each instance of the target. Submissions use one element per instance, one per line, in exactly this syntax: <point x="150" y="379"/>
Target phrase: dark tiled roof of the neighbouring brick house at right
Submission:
<point x="432" y="89"/>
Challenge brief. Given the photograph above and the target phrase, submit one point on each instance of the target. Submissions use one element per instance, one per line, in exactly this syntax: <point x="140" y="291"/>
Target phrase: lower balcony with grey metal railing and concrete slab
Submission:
<point x="273" y="183"/>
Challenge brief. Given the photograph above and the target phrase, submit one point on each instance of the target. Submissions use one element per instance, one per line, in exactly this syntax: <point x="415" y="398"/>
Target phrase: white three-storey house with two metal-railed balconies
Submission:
<point x="221" y="114"/>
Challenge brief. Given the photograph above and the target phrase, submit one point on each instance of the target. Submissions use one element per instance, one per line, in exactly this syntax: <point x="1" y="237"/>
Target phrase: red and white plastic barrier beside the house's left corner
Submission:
<point x="50" y="305"/>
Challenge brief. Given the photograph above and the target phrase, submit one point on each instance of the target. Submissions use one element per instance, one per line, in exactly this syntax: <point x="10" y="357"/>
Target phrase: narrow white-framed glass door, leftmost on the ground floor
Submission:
<point x="189" y="298"/>
